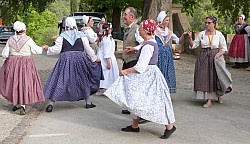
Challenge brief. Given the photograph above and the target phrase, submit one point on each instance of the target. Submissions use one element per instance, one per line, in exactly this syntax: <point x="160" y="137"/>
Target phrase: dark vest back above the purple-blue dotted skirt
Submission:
<point x="78" y="45"/>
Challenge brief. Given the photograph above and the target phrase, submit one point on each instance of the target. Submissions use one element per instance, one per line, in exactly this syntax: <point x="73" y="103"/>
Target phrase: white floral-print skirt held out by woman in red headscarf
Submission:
<point x="146" y="95"/>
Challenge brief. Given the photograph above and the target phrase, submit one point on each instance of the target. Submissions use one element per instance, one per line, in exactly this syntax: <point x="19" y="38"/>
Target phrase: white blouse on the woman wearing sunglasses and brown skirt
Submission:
<point x="218" y="41"/>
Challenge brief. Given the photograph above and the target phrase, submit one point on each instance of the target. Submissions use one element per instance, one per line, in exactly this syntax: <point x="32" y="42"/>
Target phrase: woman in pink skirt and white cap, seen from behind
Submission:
<point x="19" y="80"/>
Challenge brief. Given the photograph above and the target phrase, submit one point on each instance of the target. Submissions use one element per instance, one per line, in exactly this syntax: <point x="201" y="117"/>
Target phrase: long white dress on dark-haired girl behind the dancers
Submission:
<point x="107" y="50"/>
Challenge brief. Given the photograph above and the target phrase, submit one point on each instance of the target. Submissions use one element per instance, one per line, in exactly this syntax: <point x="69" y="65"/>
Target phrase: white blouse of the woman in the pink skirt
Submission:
<point x="28" y="48"/>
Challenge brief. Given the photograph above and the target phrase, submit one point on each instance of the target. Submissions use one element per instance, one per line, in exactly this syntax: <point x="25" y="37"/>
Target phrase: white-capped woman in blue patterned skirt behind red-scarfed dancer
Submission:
<point x="163" y="36"/>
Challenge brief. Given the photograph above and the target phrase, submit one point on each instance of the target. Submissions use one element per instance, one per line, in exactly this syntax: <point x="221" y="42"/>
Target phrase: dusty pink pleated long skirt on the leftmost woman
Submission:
<point x="20" y="82"/>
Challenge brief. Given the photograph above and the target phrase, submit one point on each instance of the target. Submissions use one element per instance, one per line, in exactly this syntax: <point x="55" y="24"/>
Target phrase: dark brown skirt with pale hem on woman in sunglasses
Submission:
<point x="205" y="77"/>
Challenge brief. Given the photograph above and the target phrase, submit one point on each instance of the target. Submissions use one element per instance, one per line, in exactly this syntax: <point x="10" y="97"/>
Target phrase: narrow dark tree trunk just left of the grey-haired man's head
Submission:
<point x="116" y="19"/>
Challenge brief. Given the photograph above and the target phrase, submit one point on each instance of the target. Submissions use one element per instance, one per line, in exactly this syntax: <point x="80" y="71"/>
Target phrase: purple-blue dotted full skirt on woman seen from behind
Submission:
<point x="73" y="78"/>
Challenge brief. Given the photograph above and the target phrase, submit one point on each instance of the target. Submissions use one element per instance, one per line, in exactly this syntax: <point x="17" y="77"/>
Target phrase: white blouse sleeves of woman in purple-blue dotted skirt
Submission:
<point x="56" y="49"/>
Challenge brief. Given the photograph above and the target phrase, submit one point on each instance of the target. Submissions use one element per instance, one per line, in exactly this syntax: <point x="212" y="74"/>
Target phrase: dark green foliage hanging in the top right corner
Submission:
<point x="232" y="8"/>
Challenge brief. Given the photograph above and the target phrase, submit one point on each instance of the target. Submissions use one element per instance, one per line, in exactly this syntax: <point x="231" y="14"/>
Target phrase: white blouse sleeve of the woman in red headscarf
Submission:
<point x="144" y="58"/>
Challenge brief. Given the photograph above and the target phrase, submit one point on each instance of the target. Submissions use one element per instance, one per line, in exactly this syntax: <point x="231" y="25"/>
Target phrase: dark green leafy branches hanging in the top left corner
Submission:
<point x="11" y="8"/>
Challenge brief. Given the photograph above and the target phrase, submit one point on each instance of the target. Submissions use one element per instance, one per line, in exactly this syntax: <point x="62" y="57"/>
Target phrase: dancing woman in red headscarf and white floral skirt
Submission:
<point x="142" y="89"/>
